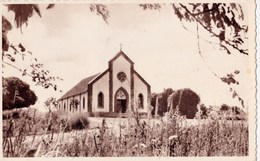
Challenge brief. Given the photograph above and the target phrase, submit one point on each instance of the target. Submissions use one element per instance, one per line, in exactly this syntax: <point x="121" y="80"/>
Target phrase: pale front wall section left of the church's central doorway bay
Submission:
<point x="101" y="86"/>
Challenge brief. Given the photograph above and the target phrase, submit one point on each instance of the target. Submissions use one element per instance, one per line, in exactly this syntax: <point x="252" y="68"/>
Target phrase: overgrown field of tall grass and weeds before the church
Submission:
<point x="58" y="135"/>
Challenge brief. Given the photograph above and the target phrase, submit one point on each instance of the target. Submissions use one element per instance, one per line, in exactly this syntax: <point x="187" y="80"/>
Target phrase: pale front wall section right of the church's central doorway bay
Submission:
<point x="140" y="88"/>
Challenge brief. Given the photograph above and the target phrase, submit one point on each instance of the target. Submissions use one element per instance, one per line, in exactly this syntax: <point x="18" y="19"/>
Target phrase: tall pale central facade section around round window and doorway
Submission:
<point x="121" y="65"/>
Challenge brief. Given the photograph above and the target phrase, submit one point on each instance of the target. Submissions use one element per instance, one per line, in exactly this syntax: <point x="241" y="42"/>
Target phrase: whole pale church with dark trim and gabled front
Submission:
<point x="116" y="90"/>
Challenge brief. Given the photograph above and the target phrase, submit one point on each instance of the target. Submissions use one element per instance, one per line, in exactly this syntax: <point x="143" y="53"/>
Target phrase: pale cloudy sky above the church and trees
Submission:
<point x="74" y="43"/>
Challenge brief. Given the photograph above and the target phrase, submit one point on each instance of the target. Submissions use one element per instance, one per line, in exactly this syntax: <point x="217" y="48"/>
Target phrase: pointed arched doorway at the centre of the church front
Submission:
<point x="121" y="101"/>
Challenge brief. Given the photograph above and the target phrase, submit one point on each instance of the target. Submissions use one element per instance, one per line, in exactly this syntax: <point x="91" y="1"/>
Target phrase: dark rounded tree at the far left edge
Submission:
<point x="17" y="94"/>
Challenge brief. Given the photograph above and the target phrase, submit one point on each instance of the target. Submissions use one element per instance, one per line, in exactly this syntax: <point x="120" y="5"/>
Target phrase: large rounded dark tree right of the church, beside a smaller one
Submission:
<point x="185" y="101"/>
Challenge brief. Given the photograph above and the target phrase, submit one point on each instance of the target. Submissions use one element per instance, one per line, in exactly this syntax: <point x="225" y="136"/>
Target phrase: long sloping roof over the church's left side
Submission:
<point x="81" y="87"/>
